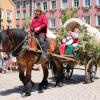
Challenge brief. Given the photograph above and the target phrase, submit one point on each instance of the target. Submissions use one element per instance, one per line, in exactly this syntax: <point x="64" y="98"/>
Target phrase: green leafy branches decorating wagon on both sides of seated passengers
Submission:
<point x="87" y="42"/>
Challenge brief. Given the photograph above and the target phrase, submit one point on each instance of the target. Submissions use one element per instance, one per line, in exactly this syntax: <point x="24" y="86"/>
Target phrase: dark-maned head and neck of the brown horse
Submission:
<point x="12" y="39"/>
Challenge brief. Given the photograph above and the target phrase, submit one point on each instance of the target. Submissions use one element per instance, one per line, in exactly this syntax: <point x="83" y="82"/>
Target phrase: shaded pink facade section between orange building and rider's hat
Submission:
<point x="25" y="10"/>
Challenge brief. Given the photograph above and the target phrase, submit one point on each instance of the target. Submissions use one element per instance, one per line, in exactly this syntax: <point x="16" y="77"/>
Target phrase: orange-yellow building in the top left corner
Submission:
<point x="8" y="14"/>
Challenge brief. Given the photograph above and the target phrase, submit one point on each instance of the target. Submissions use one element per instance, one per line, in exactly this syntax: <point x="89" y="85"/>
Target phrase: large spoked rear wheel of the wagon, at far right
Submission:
<point x="91" y="69"/>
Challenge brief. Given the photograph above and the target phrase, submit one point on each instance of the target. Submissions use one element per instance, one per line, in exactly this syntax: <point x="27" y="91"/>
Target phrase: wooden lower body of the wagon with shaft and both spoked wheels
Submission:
<point x="86" y="58"/>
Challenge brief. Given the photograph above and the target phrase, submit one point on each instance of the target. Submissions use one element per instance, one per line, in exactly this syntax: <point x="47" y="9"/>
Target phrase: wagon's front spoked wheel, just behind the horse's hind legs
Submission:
<point x="67" y="71"/>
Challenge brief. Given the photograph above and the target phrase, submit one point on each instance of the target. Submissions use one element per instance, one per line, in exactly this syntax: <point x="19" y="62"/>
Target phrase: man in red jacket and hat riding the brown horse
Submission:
<point x="39" y="27"/>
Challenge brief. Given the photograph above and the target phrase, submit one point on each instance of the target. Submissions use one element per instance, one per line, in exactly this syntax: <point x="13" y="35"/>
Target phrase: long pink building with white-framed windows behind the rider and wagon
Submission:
<point x="87" y="10"/>
